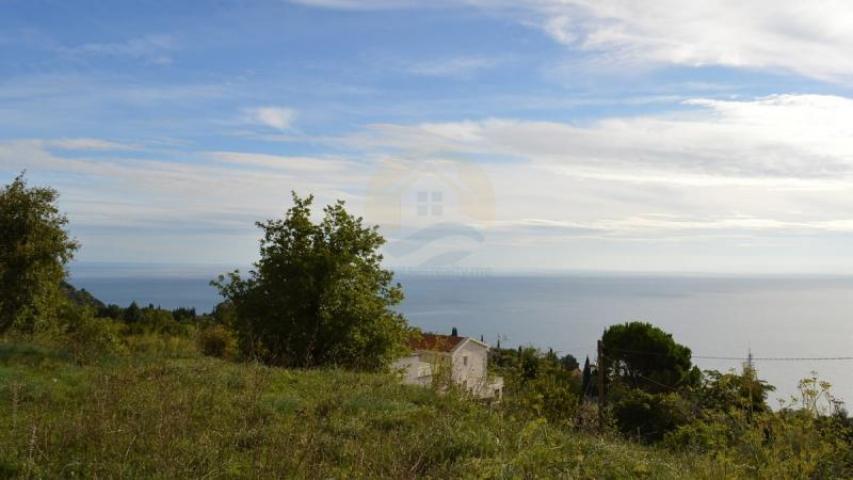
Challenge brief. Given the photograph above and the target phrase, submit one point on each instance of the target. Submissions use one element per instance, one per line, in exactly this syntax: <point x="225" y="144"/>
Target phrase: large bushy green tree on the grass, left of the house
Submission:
<point x="318" y="295"/>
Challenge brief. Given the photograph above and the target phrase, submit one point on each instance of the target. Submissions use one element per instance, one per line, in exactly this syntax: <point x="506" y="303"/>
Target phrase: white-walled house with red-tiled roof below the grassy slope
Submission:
<point x="465" y="359"/>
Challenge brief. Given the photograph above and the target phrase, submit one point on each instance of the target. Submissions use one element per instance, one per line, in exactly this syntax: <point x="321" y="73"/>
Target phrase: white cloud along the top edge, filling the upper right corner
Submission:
<point x="808" y="38"/>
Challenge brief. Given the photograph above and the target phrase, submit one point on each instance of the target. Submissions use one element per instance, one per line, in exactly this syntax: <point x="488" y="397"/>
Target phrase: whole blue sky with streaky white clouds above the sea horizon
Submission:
<point x="523" y="135"/>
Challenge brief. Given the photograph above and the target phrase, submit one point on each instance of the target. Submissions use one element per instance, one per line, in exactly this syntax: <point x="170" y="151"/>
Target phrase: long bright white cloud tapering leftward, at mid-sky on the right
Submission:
<point x="782" y="137"/>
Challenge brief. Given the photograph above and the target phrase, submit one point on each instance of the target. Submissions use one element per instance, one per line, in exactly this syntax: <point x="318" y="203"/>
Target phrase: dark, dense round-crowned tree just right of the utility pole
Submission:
<point x="640" y="355"/>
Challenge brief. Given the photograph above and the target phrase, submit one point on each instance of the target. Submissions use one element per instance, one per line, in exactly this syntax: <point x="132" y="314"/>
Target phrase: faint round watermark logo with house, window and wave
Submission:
<point x="433" y="211"/>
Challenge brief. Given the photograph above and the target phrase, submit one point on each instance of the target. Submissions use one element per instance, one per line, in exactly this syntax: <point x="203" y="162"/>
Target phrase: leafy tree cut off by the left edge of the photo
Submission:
<point x="34" y="248"/>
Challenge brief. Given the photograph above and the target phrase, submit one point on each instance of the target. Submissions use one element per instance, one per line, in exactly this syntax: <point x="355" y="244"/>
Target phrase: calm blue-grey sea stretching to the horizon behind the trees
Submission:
<point x="794" y="327"/>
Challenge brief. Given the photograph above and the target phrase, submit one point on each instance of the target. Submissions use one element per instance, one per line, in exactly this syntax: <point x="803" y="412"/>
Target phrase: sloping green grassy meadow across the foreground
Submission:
<point x="150" y="416"/>
